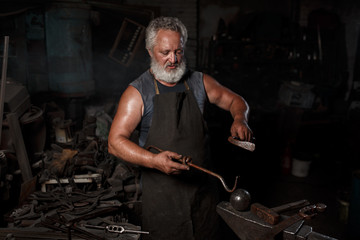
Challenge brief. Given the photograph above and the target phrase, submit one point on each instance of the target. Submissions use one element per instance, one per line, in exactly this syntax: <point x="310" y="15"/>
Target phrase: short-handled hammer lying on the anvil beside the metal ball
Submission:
<point x="271" y="215"/>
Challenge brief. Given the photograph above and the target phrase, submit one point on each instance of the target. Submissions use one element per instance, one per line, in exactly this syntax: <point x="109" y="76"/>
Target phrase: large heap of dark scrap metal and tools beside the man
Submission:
<point x="82" y="192"/>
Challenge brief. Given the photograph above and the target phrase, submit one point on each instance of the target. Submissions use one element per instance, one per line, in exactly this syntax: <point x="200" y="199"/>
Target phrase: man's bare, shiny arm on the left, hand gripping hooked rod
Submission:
<point x="128" y="116"/>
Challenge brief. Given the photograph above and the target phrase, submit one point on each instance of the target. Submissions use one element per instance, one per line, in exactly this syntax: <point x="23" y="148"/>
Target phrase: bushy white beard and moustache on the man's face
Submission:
<point x="170" y="77"/>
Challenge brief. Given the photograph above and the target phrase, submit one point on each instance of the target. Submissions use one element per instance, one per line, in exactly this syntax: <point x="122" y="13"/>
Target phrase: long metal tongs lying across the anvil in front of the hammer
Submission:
<point x="304" y="213"/>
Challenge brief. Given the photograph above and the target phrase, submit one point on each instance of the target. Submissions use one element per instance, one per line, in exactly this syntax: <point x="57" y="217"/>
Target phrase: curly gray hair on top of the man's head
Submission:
<point x="166" y="23"/>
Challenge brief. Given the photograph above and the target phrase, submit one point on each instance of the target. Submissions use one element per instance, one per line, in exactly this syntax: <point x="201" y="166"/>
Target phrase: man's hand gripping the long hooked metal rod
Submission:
<point x="166" y="163"/>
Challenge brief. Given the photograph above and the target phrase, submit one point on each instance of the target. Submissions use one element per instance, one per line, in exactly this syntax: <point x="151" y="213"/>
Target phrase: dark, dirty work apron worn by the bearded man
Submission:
<point x="179" y="206"/>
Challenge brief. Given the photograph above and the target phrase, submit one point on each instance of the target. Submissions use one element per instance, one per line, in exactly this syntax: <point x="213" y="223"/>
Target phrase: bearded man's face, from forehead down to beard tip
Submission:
<point x="167" y="61"/>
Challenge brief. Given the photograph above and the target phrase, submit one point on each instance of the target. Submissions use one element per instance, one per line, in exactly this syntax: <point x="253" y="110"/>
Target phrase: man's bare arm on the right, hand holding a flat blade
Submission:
<point x="230" y="101"/>
